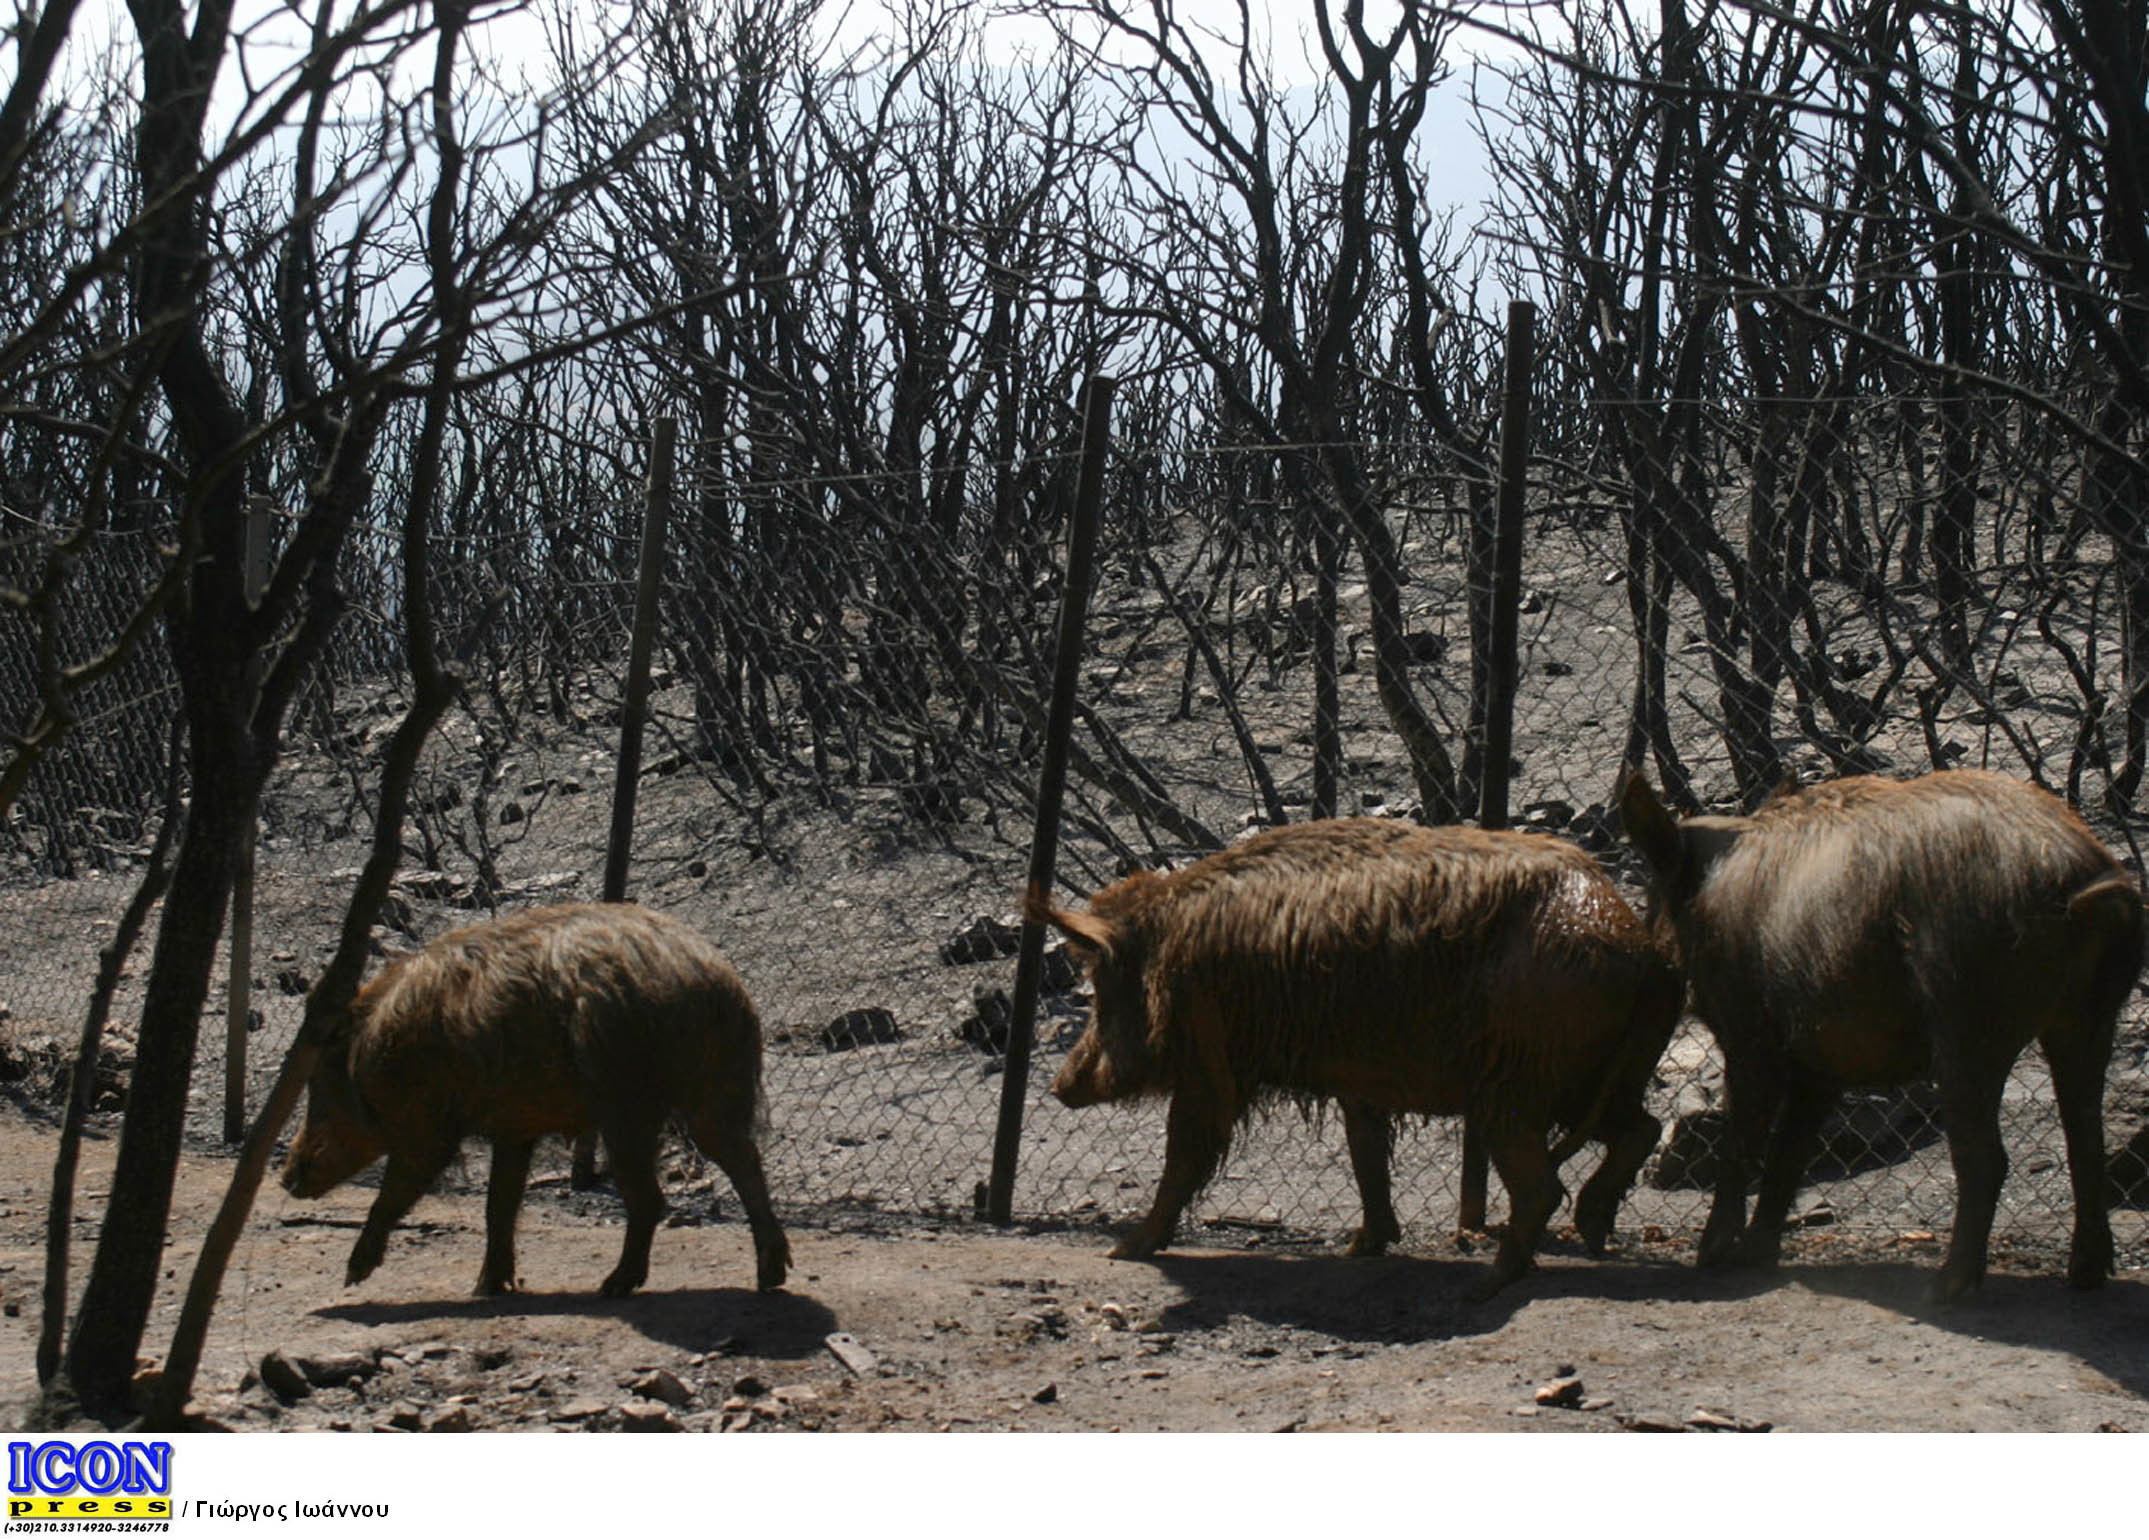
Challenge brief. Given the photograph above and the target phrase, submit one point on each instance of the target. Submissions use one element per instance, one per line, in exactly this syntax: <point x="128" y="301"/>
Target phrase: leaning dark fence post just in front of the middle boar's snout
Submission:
<point x="1052" y="787"/>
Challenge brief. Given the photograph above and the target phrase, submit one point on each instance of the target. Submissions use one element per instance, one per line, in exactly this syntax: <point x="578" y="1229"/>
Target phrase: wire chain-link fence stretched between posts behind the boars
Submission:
<point x="848" y="721"/>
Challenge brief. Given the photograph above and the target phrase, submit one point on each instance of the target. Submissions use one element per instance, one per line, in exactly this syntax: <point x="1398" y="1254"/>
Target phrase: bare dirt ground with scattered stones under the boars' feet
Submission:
<point x="983" y="1331"/>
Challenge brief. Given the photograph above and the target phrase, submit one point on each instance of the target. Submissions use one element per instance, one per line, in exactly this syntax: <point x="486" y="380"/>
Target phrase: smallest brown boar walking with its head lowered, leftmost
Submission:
<point x="556" y="1021"/>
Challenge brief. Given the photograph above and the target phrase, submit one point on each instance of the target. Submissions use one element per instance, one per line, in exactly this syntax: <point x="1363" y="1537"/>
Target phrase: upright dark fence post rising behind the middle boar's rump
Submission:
<point x="1505" y="652"/>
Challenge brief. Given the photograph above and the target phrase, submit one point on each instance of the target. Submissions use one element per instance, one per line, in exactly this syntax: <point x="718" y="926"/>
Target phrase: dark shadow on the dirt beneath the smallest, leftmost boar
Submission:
<point x="764" y="1324"/>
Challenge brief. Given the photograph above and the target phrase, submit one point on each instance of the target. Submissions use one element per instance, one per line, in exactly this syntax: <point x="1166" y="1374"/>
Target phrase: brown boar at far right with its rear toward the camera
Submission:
<point x="1871" y="933"/>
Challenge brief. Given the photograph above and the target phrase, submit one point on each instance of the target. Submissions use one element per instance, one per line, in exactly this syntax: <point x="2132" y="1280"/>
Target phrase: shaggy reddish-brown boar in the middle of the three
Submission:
<point x="1396" y="970"/>
